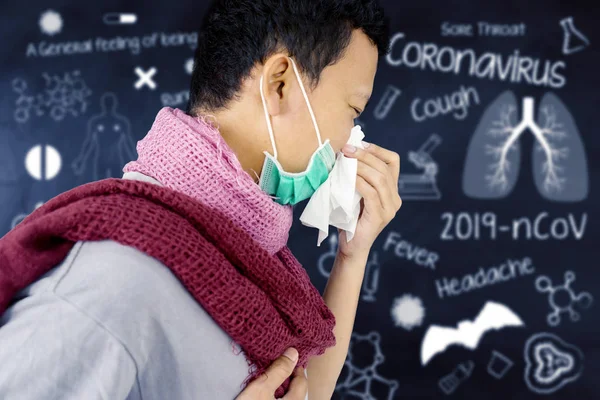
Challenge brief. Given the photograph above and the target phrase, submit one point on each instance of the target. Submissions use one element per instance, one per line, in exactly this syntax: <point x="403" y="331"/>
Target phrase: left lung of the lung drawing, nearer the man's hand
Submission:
<point x="493" y="157"/>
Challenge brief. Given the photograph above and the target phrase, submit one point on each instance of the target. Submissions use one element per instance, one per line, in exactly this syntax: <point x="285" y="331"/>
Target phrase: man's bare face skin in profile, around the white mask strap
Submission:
<point x="343" y="89"/>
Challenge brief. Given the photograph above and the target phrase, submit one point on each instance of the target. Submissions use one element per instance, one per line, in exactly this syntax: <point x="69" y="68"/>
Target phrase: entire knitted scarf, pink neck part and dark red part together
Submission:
<point x="244" y="276"/>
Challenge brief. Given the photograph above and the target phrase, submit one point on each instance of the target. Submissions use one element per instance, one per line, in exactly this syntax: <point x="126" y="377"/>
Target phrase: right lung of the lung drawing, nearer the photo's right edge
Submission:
<point x="559" y="162"/>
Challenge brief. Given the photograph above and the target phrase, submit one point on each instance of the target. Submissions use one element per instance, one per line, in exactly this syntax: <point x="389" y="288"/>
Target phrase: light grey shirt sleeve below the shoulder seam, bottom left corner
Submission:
<point x="49" y="348"/>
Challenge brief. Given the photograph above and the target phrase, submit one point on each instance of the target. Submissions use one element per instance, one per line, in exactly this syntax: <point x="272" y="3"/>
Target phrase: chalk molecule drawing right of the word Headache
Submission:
<point x="562" y="298"/>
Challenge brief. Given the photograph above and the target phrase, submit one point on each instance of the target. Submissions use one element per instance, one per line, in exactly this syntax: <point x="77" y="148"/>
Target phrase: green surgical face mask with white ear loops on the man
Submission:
<point x="289" y="187"/>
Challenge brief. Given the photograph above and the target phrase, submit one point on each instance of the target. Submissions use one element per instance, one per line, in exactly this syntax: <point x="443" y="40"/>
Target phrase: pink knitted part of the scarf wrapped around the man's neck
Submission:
<point x="189" y="155"/>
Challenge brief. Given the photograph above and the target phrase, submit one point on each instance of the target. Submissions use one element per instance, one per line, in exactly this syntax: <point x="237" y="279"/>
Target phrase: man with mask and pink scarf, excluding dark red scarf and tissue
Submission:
<point x="283" y="81"/>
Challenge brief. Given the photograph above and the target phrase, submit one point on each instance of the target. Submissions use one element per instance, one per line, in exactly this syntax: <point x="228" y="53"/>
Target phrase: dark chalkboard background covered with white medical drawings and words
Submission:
<point x="498" y="238"/>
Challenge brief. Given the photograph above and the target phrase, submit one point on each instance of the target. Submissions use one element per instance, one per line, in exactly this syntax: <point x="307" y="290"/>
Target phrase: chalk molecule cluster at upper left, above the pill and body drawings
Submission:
<point x="62" y="96"/>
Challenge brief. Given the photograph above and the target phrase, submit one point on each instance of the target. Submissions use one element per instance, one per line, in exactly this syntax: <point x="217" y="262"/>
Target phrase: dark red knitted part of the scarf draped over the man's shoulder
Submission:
<point x="266" y="303"/>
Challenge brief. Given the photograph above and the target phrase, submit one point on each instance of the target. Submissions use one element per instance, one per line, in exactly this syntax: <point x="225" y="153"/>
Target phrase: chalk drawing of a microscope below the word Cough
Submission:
<point x="421" y="186"/>
